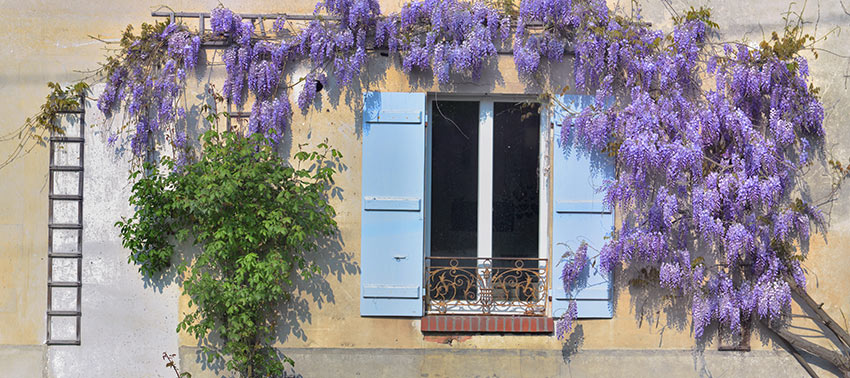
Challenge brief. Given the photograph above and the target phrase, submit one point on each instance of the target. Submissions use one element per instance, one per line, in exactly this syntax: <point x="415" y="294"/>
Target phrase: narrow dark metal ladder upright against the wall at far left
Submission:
<point x="65" y="233"/>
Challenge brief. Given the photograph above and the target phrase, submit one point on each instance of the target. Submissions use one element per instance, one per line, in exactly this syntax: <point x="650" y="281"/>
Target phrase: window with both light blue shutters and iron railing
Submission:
<point x="466" y="195"/>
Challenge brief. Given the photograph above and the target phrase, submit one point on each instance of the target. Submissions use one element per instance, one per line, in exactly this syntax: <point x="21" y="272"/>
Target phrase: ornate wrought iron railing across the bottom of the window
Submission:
<point x="486" y="286"/>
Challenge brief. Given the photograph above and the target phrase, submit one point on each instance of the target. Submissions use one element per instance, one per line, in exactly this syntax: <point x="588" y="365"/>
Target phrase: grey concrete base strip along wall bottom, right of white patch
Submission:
<point x="338" y="362"/>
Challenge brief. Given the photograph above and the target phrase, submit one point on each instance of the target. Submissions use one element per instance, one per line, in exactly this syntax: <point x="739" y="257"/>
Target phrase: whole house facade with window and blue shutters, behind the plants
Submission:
<point x="454" y="205"/>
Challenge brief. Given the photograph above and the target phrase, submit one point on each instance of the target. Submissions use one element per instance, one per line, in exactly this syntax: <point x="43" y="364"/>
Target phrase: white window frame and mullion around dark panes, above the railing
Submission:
<point x="485" y="172"/>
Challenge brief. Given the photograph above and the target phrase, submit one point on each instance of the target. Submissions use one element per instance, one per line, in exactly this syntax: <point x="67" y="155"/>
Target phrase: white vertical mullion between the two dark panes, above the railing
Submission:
<point x="485" y="179"/>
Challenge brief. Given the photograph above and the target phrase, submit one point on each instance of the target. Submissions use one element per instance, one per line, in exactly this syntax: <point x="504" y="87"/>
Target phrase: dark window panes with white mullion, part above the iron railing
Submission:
<point x="484" y="202"/>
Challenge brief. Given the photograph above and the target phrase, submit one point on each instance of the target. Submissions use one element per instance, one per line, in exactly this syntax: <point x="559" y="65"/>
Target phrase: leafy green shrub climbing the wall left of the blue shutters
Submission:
<point x="256" y="220"/>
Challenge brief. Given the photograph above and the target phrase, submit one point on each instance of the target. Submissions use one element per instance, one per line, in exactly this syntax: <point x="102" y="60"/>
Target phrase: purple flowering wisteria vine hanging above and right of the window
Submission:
<point x="706" y="170"/>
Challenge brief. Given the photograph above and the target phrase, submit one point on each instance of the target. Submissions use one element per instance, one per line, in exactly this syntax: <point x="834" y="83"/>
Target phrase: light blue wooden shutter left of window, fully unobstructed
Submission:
<point x="392" y="223"/>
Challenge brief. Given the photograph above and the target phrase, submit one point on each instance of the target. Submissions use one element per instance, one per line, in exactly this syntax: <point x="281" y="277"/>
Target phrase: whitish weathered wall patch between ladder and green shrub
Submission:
<point x="128" y="321"/>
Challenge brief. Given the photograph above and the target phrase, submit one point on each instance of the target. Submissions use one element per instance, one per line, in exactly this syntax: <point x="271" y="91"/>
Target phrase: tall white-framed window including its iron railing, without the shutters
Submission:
<point x="483" y="205"/>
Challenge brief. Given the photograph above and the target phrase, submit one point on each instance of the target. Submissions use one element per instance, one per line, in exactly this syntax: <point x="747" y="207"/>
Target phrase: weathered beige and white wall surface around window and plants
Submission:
<point x="128" y="323"/>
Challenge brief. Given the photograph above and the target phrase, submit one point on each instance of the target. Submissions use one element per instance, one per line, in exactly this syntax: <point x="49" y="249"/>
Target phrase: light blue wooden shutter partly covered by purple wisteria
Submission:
<point x="578" y="215"/>
